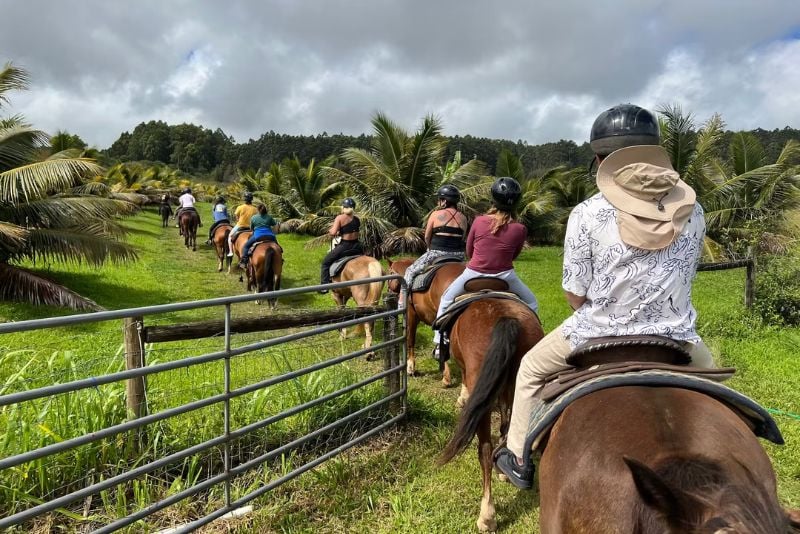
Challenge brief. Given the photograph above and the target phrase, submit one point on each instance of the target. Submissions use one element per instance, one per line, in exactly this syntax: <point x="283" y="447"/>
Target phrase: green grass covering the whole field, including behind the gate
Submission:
<point x="390" y="484"/>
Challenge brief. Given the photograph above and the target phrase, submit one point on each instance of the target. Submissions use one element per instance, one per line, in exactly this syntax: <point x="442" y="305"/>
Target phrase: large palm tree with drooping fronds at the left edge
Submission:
<point x="46" y="212"/>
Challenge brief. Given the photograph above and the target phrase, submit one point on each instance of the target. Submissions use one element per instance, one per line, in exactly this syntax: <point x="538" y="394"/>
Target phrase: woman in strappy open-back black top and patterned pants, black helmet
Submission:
<point x="444" y="233"/>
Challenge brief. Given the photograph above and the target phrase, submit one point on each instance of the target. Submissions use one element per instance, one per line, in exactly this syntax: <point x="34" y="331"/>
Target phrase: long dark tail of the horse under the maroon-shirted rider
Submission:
<point x="494" y="375"/>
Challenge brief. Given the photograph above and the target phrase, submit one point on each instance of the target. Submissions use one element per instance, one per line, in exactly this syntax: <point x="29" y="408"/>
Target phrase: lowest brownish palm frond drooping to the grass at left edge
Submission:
<point x="22" y="285"/>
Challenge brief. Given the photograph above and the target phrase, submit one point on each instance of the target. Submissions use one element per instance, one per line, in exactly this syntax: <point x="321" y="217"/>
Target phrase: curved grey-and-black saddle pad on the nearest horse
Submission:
<point x="546" y="414"/>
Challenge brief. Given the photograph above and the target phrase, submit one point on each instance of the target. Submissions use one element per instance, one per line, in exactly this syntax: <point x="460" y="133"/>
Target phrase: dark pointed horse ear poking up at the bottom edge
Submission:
<point x="678" y="508"/>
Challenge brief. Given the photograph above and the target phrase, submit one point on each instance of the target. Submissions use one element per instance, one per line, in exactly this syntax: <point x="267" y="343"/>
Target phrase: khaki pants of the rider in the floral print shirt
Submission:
<point x="548" y="357"/>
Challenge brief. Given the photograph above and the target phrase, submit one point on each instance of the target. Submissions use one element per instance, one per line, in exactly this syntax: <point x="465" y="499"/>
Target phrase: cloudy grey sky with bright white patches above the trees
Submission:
<point x="532" y="70"/>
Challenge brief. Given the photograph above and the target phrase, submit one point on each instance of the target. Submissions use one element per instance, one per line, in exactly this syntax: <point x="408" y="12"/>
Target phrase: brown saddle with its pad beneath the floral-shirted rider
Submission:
<point x="651" y="361"/>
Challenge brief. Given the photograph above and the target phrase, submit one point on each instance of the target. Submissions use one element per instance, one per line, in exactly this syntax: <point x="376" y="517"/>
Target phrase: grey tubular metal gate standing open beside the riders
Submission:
<point x="107" y="438"/>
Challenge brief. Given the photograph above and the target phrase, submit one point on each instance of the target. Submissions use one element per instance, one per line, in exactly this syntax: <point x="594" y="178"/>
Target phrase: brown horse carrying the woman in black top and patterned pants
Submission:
<point x="422" y="306"/>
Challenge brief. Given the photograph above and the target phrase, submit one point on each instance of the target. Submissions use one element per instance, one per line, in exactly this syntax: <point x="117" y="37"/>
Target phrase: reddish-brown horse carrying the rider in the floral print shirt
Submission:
<point x="638" y="459"/>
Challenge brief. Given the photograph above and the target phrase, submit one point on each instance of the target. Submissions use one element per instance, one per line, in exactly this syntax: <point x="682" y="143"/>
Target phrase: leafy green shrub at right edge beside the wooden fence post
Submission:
<point x="778" y="289"/>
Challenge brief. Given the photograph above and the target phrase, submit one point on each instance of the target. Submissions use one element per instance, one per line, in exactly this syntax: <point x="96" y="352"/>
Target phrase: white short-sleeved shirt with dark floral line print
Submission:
<point x="629" y="291"/>
